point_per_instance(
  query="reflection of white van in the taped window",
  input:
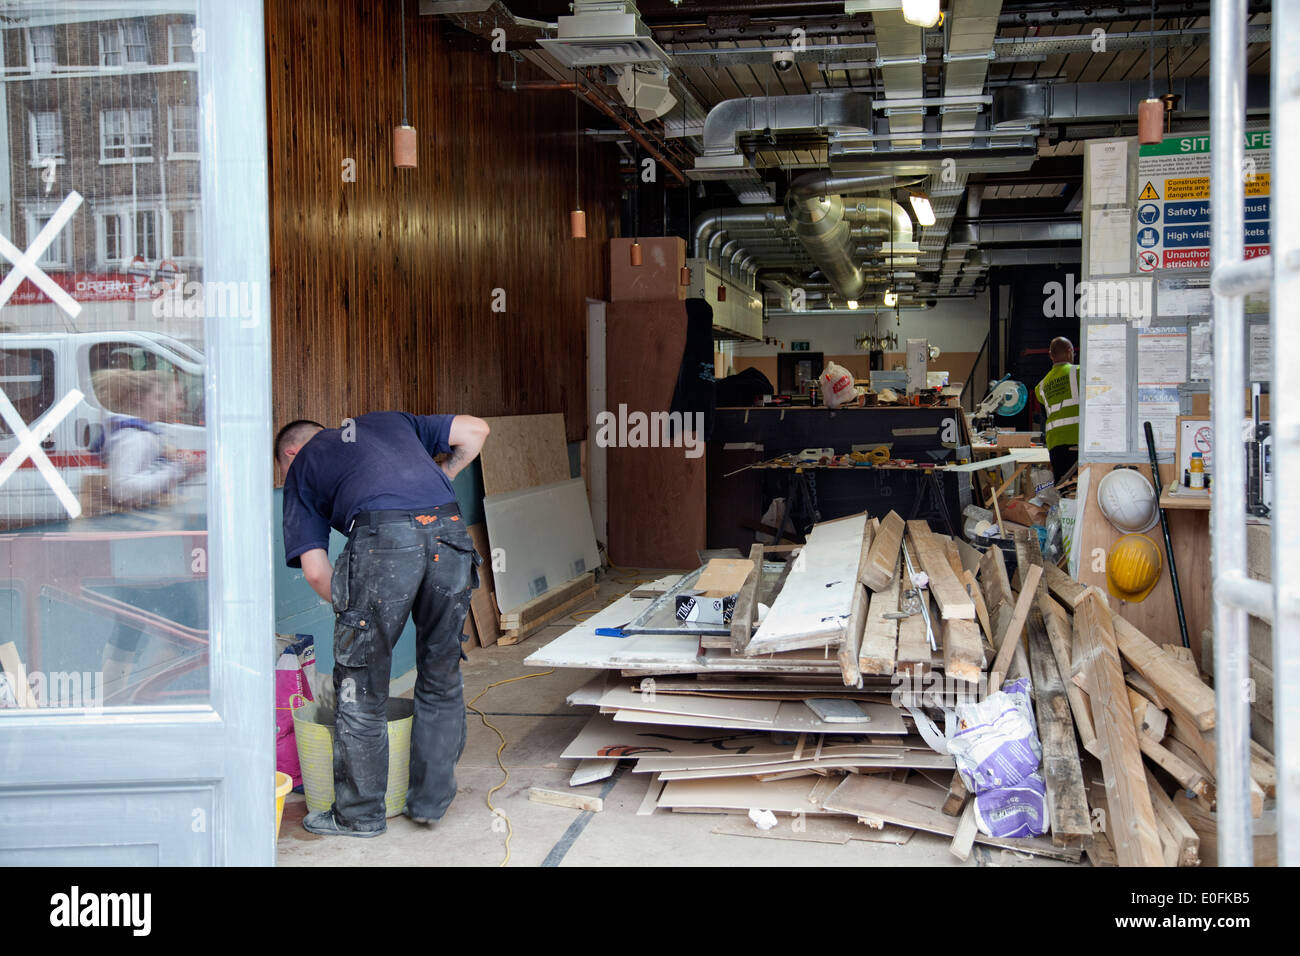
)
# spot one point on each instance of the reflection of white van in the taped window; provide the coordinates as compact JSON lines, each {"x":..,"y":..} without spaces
{"x":37,"y":370}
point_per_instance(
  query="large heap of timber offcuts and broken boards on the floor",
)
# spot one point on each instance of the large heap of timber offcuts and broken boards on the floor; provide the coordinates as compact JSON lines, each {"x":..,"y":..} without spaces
{"x":812,"y":710}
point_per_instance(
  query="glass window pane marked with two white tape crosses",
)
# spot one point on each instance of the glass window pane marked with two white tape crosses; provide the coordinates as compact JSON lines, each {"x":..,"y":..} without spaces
{"x":103,"y":439}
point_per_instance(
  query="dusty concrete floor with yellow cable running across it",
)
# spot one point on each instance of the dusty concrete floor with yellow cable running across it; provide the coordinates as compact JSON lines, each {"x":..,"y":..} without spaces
{"x":539,"y":725}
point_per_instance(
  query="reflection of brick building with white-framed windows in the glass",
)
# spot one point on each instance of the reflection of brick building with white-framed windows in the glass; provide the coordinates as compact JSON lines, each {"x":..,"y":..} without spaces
{"x":107,"y":109}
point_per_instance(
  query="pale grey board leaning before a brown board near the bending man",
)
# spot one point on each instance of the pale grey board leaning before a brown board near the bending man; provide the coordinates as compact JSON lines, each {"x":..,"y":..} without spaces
{"x":545,"y":538}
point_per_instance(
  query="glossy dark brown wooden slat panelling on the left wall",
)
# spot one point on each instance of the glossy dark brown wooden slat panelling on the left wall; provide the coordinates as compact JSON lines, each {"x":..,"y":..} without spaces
{"x":383,"y":288}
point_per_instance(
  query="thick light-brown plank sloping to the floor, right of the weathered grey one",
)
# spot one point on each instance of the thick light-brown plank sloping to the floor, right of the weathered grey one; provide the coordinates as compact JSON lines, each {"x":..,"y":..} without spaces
{"x":1133,"y":817}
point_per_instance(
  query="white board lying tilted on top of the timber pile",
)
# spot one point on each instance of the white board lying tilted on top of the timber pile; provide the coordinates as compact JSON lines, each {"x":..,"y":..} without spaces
{"x":816,"y":599}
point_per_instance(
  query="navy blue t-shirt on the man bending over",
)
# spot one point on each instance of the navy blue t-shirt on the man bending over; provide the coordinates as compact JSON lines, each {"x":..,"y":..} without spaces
{"x":387,"y":468}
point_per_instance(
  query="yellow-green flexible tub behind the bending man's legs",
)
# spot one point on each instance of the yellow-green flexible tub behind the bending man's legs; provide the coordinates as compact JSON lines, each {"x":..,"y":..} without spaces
{"x":314,"y":729}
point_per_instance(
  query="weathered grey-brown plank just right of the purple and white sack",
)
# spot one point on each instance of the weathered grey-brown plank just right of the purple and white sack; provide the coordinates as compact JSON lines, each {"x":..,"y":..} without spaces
{"x":1068,"y":802}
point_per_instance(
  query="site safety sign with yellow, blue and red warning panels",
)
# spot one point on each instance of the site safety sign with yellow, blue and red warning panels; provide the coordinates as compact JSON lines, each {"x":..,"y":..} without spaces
{"x":1172,"y":224}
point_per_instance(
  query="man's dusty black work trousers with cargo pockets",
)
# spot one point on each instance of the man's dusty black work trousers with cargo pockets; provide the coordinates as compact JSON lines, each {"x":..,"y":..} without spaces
{"x":422,"y":565}
